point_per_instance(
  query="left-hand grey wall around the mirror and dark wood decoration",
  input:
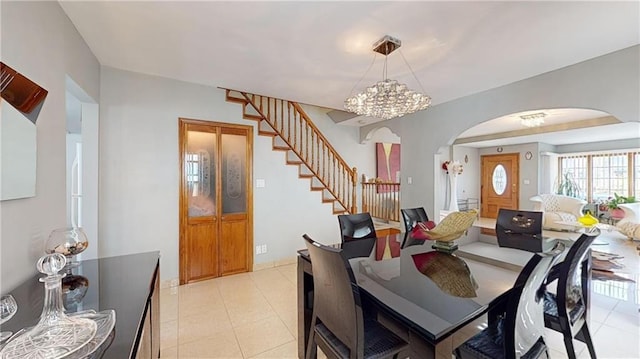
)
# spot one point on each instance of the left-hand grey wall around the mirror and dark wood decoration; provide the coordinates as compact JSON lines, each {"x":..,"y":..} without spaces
{"x":39,"y":41}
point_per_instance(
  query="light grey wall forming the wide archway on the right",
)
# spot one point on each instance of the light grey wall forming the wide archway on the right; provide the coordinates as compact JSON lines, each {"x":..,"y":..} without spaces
{"x":608,"y":83}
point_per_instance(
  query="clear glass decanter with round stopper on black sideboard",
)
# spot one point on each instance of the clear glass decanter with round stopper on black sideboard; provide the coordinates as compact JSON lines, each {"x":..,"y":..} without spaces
{"x":56,"y":335}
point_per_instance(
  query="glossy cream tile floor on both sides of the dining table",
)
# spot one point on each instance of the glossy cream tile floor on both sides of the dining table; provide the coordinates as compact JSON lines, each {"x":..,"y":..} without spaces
{"x":254,"y":315}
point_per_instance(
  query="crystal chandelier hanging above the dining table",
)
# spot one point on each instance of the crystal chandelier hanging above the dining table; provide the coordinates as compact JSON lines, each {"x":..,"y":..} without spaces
{"x":388,"y":98}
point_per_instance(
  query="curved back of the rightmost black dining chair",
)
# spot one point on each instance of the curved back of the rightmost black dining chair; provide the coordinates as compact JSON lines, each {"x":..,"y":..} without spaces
{"x":573,"y":274}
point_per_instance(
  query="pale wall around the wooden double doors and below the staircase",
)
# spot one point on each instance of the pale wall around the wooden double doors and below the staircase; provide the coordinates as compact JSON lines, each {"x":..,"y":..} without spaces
{"x":139,"y":170}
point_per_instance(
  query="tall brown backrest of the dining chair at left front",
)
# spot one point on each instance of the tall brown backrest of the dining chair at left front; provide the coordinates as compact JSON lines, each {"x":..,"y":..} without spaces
{"x":336,"y":296}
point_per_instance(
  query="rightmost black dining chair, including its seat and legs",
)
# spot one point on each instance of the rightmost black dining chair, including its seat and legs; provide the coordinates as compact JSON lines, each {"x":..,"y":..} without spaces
{"x":567,"y":310}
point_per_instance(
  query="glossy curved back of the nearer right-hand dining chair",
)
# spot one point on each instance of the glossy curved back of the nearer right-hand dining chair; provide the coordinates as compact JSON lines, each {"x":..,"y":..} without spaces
{"x":524,"y":315}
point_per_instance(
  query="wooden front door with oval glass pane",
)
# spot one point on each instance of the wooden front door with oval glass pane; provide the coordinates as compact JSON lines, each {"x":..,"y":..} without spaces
{"x":499,"y":187}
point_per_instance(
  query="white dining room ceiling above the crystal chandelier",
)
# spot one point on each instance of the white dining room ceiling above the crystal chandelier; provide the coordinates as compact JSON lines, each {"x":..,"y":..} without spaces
{"x":316,"y":52}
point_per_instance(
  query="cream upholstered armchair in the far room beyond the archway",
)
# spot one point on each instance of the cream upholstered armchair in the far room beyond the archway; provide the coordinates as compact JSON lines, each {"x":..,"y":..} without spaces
{"x":557,"y":208}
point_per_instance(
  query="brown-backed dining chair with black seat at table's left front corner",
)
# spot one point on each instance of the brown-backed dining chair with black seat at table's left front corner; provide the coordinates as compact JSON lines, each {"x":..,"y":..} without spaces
{"x":338,"y":325}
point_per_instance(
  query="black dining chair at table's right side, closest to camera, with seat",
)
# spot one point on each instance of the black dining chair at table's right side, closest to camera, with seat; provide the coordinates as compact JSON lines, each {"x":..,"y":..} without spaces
{"x":515,"y":319}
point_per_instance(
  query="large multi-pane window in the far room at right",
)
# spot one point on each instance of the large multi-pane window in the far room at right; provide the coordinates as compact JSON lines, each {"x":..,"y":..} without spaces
{"x":600,"y":175}
